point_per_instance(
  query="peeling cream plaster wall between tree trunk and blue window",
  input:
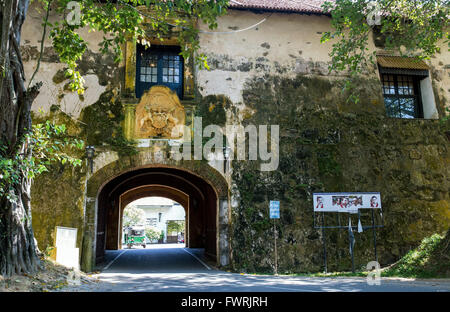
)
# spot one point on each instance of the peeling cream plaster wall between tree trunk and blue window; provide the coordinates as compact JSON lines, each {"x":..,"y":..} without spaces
{"x":98,"y":71}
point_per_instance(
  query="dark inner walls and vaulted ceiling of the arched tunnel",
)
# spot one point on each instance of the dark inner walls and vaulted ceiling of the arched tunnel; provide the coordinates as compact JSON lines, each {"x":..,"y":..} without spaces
{"x":195,"y":194}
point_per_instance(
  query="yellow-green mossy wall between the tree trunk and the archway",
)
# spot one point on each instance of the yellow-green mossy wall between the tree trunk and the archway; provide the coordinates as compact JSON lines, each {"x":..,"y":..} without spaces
{"x":57,"y":195}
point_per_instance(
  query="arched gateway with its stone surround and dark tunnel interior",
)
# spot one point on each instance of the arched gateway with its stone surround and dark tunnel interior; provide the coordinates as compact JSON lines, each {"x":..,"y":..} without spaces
{"x":133,"y":177}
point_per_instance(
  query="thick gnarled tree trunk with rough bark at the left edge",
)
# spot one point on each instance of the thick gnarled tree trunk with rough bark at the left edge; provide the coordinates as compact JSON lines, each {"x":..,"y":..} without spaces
{"x":18,"y":251}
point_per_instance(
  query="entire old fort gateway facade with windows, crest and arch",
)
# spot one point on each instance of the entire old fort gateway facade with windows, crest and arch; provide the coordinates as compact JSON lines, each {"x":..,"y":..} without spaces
{"x":268,"y":71}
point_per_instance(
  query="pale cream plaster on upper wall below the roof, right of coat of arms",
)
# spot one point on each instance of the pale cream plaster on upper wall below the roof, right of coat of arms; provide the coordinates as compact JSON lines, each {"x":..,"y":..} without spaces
{"x":285,"y":45}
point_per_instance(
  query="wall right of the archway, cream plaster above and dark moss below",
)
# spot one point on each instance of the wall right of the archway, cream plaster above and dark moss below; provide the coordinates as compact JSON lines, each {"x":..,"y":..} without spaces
{"x":276,"y":74}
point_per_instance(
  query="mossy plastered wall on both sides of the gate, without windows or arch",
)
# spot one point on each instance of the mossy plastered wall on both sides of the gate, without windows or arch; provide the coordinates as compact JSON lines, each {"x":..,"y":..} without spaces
{"x":275,"y":73}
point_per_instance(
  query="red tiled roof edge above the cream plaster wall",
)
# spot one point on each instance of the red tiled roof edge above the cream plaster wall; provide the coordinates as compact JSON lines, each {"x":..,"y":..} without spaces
{"x":304,"y":6}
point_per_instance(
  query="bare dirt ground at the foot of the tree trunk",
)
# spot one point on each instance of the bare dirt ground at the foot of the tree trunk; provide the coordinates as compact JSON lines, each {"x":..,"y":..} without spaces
{"x":50,"y":277}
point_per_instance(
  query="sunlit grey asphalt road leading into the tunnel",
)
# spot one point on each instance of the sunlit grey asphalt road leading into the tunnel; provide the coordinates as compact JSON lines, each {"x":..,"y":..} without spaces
{"x":175,"y":268}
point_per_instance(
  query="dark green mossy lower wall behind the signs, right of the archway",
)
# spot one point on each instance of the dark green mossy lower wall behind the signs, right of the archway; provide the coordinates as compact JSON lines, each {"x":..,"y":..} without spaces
{"x":330,"y":145}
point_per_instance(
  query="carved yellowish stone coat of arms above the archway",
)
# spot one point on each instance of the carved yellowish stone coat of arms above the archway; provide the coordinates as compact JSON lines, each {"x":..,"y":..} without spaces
{"x":159,"y":114}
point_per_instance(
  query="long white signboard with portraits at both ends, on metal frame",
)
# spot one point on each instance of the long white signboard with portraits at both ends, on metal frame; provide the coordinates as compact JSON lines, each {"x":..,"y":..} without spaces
{"x":346,"y":202}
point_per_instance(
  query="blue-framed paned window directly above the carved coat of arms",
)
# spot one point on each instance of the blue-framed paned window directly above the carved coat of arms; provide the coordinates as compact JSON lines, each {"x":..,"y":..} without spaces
{"x":159,"y":65}
